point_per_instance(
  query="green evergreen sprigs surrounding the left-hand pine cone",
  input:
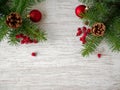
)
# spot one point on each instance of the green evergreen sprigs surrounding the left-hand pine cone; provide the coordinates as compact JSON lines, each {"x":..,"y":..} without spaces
{"x":28,"y":28}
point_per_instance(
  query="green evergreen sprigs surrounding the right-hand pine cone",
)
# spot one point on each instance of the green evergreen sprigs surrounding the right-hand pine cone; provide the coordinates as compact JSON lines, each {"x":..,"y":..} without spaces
{"x":107,"y":12}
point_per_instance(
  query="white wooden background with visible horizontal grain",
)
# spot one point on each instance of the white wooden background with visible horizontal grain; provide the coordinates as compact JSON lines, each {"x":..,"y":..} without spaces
{"x":59,"y":64}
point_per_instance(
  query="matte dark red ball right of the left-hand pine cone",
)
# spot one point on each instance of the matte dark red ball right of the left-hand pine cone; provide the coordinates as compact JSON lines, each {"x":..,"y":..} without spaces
{"x":35,"y":15}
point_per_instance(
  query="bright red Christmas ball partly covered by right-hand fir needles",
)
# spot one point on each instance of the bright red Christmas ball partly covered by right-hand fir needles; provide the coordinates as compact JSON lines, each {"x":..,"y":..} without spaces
{"x":79,"y":10}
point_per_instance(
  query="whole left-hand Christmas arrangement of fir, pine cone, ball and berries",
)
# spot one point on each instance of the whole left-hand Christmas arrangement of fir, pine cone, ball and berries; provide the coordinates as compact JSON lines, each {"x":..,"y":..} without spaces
{"x":16,"y":26}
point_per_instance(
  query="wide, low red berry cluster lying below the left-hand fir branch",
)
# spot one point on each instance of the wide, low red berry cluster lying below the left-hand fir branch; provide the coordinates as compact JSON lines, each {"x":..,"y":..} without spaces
{"x":25,"y":39}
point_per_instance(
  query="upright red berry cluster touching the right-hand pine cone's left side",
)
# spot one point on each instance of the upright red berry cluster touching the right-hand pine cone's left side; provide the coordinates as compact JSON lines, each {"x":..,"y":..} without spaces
{"x":84,"y":32}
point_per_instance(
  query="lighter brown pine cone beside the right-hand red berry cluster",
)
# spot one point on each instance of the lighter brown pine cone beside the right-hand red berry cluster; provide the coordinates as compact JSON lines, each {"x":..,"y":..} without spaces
{"x":98,"y":29}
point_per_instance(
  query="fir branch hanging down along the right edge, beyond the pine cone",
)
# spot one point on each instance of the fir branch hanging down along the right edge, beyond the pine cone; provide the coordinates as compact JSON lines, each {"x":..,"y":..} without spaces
{"x":113,"y":34}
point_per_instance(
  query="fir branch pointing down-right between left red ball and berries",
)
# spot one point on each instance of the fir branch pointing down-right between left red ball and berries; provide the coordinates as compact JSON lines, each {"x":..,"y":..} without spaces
{"x":31,"y":30}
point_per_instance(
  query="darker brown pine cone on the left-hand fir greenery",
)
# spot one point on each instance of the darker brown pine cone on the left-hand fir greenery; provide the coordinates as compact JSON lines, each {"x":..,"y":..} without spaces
{"x":14,"y":20}
